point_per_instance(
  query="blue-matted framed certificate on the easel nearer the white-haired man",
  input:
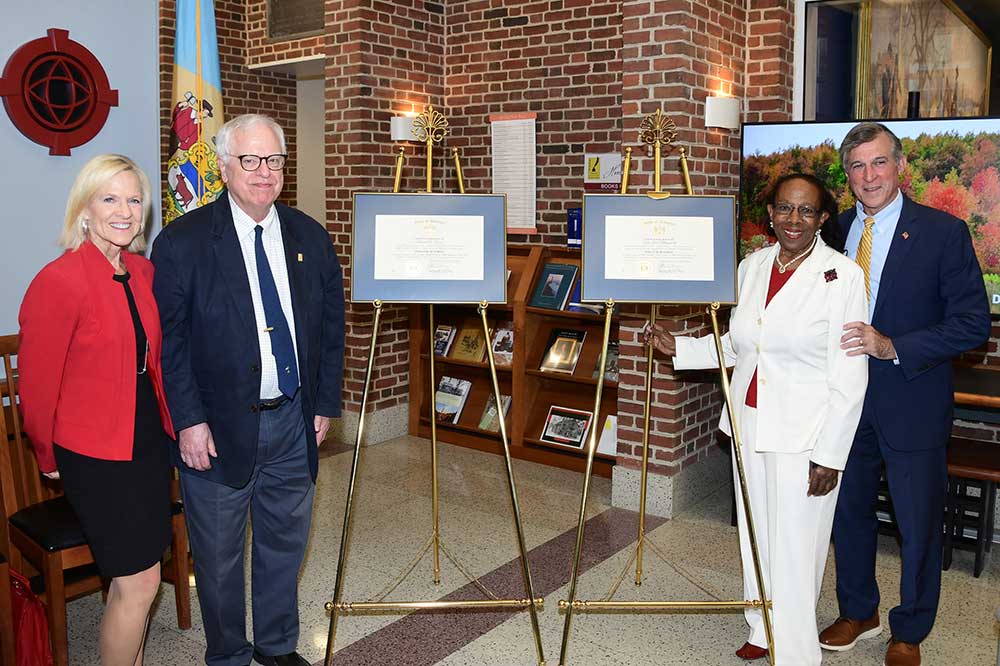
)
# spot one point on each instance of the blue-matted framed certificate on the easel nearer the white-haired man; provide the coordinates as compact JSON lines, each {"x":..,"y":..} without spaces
{"x":429,"y":248}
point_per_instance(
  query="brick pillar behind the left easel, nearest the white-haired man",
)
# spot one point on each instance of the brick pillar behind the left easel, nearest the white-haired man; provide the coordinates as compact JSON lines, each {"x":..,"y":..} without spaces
{"x":379,"y":62}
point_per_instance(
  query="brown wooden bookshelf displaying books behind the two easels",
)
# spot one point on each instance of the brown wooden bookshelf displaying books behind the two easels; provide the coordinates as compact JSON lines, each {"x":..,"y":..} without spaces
{"x":532,"y":391}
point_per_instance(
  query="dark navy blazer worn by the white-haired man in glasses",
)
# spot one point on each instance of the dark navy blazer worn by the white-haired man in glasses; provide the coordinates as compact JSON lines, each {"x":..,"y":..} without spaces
{"x":211,"y":355}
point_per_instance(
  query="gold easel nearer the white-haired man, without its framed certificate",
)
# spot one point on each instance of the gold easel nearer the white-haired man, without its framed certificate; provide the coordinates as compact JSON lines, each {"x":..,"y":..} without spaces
{"x":430,"y":127}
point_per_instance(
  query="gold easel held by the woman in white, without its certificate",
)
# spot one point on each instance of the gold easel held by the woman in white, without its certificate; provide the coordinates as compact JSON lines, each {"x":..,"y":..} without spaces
{"x":657,"y":130}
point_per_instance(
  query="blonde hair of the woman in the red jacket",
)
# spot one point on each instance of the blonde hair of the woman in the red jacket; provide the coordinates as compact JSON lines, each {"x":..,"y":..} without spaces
{"x":92,"y":177}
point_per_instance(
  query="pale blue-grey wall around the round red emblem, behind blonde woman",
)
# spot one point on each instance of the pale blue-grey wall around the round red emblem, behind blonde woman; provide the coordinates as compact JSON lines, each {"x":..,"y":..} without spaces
{"x":33,"y":189}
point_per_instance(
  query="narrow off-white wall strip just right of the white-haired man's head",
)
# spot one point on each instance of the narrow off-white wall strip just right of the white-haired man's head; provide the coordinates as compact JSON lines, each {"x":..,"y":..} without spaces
{"x":310,"y":160}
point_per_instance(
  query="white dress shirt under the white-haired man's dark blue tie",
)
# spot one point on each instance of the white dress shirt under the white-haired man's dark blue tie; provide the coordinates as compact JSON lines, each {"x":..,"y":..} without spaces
{"x":274,"y":248}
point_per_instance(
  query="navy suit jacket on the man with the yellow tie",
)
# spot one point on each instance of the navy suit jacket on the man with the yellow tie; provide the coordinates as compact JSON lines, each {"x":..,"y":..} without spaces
{"x":932,"y":303}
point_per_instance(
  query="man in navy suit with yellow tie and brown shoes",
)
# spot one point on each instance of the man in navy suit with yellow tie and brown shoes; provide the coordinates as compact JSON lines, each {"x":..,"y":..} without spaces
{"x":927,"y":305}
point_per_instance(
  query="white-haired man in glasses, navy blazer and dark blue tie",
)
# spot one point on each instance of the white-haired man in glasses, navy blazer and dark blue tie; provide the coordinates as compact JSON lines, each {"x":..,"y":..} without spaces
{"x":252,"y":305}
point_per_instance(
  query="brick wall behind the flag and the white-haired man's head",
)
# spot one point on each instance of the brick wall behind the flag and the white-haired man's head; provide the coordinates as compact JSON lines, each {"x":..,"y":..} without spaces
{"x":243,"y":90}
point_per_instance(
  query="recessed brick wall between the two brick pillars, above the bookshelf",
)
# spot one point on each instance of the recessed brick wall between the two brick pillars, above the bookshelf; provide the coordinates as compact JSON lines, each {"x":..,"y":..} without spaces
{"x":557,"y":58}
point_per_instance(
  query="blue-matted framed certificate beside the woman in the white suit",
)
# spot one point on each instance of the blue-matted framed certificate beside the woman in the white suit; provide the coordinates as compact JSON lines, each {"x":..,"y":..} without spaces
{"x":678,"y":249}
